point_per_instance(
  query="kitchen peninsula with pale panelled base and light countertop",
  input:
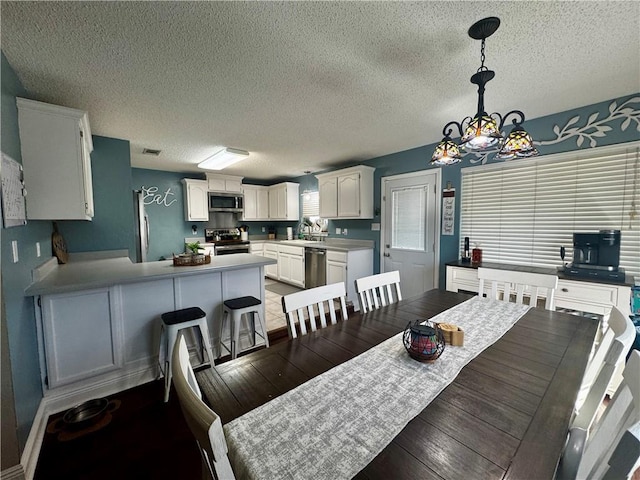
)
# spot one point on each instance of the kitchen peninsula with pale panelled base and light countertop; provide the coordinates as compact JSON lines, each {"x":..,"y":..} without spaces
{"x":98,"y":320}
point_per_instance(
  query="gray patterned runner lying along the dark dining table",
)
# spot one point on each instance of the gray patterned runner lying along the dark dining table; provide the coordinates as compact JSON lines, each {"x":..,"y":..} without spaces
{"x":335,"y":424}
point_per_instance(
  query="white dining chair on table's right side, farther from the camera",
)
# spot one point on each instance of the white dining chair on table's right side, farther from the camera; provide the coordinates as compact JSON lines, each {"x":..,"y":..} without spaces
{"x":620,"y":328}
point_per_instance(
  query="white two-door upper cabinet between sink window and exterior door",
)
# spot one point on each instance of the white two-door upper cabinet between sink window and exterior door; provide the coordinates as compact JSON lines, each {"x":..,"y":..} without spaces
{"x":346,"y":193}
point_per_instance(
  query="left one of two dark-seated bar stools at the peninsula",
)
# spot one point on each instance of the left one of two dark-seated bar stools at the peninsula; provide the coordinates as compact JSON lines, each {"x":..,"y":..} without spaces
{"x":172,"y":323}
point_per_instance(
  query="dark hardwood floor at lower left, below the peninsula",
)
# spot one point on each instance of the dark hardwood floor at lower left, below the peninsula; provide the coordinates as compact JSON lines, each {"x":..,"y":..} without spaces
{"x":145,"y":439}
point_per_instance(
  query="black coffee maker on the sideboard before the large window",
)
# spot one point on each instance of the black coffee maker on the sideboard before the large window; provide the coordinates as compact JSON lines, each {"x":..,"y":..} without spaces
{"x":596,"y":255}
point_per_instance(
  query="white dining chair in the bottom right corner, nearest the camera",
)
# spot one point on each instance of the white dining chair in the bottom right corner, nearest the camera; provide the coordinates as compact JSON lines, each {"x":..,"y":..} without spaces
{"x":588,"y":454}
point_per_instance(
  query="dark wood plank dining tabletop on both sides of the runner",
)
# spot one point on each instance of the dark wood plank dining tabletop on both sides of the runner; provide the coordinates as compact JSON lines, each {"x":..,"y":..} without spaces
{"x":506,"y":414}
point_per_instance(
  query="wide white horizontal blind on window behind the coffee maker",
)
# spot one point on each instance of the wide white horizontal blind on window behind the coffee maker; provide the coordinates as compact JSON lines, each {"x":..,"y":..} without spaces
{"x":524,"y":211}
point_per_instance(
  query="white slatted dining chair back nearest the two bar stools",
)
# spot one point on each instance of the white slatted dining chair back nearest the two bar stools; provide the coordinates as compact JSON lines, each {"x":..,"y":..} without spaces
{"x":295,"y":304}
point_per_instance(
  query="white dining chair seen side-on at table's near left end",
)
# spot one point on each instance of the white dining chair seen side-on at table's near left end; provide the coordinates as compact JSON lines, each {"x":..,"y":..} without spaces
{"x":205,"y":425}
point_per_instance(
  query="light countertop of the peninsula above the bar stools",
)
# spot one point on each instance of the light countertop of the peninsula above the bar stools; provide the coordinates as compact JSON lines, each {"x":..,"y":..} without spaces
{"x":84,"y":275}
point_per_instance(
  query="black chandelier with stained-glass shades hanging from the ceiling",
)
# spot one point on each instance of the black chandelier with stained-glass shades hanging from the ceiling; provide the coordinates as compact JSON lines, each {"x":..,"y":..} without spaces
{"x":482,"y":133}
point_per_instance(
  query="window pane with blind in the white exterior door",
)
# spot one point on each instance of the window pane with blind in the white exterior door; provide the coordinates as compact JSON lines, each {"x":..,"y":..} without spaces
{"x":408,"y":225}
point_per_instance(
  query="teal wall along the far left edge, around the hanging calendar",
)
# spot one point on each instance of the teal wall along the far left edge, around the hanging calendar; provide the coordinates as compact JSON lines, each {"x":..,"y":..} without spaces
{"x":19,"y":310}
